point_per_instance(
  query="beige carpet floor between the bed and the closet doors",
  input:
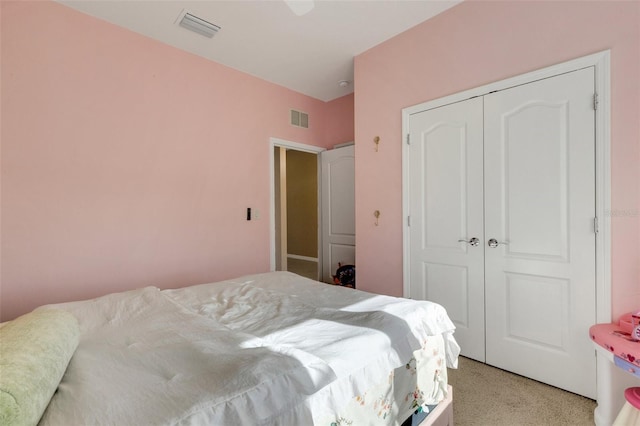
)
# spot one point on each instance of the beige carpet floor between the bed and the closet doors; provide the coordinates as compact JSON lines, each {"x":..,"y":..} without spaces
{"x":487,"y":396}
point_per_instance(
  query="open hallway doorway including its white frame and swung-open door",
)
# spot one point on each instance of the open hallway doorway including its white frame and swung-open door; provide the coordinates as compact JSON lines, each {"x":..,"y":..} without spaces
{"x":312,"y":245}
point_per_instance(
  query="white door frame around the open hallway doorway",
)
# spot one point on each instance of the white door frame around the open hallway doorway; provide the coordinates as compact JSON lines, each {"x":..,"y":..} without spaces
{"x":274,"y":142}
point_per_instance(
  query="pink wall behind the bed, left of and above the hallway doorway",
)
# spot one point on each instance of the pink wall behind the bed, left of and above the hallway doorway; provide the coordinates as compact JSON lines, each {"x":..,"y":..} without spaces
{"x":126,"y":162}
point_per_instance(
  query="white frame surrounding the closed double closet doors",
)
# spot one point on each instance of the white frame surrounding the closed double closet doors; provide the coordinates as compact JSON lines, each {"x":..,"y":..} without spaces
{"x":601,"y":62}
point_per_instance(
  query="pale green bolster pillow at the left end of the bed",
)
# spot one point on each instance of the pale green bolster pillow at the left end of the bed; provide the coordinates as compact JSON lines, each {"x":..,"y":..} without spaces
{"x":35,"y":350}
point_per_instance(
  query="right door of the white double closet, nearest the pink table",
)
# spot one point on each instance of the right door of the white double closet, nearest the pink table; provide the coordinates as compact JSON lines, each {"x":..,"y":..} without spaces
{"x":540,"y":208}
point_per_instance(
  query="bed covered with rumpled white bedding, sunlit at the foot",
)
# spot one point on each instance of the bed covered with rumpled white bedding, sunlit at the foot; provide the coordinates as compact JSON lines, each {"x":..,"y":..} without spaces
{"x":265,"y":349}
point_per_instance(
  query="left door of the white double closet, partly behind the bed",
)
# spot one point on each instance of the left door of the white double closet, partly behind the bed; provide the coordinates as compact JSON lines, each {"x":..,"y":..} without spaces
{"x":446,"y":217}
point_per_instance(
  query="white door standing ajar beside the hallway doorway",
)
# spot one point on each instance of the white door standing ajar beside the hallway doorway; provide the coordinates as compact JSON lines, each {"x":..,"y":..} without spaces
{"x":338,"y":210}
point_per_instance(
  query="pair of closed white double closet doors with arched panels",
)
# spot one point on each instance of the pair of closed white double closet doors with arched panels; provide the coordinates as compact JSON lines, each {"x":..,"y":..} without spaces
{"x":515,"y":169}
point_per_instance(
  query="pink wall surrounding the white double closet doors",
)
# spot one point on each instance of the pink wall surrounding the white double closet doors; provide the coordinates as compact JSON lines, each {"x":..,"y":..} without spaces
{"x":470,"y":45}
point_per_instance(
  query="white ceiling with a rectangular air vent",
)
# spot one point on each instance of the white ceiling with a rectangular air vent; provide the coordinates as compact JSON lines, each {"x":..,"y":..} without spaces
{"x":309,"y":54}
